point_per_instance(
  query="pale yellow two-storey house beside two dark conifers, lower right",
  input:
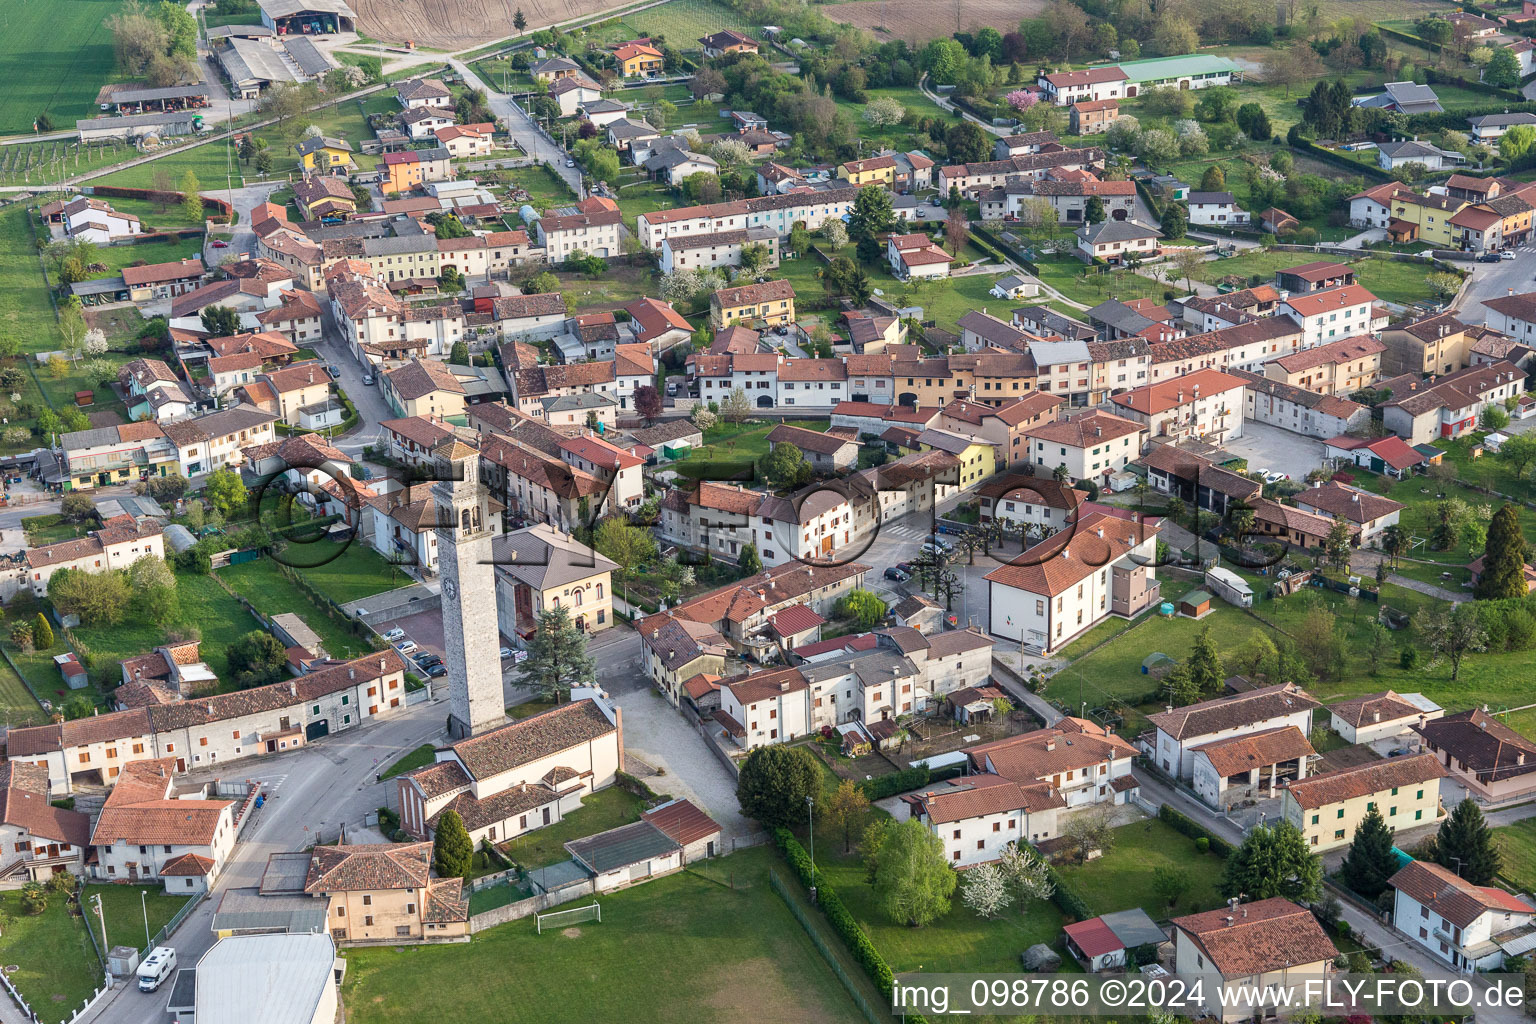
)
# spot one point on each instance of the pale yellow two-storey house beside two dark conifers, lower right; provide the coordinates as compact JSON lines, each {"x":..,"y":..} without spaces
{"x":1328,"y":808}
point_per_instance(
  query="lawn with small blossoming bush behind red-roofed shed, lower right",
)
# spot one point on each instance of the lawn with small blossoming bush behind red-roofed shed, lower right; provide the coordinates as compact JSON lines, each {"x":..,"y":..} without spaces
{"x":1122,"y":879}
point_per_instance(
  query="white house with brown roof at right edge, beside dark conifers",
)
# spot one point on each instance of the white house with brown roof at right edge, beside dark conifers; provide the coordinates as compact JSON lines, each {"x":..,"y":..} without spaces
{"x":1468,"y":927}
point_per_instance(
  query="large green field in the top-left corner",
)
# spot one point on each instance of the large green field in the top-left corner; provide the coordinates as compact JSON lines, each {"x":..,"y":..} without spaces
{"x":55,"y":58}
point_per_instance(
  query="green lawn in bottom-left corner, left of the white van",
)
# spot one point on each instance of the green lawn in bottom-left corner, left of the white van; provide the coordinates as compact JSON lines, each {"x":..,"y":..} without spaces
{"x":58,"y":968}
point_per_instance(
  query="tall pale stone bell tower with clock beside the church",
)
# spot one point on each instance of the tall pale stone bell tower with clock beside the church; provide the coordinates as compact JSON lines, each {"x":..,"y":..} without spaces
{"x":471,"y":641}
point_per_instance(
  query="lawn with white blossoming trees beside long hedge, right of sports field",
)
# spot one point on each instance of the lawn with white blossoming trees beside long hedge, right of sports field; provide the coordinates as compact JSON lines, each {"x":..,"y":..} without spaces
{"x":959,"y":942}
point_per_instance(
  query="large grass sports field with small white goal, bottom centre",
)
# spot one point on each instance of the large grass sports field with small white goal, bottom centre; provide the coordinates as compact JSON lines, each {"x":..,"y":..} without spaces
{"x":643,"y":963}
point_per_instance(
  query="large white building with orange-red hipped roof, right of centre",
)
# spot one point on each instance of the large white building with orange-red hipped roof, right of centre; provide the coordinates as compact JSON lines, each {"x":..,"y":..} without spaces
{"x":1104,"y":567}
